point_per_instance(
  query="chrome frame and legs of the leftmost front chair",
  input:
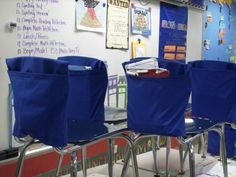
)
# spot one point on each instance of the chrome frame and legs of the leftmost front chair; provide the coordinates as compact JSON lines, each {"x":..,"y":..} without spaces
{"x":73,"y":151}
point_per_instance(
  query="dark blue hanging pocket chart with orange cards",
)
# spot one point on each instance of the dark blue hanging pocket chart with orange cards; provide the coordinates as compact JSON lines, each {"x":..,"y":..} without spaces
{"x":173,"y":32}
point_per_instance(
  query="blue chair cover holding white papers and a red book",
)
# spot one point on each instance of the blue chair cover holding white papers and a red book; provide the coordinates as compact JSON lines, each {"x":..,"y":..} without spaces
{"x":157,"y":105}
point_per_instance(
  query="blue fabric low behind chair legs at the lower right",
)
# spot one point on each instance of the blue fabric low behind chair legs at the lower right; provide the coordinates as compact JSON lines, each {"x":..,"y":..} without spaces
{"x":214,"y":142}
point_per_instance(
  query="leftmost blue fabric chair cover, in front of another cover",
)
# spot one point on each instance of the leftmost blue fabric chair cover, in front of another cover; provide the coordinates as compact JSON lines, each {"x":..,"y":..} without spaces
{"x":40,"y":88}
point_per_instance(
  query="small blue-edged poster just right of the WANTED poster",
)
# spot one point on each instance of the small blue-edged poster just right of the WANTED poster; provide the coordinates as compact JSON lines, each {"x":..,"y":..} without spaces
{"x":140,"y":20}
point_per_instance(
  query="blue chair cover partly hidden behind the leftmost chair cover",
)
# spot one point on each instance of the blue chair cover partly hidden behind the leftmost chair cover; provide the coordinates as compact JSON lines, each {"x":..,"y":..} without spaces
{"x":87,"y":89}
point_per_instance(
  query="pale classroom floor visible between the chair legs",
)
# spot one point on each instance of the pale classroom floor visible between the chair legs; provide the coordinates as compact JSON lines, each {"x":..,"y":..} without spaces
{"x":207,"y":167}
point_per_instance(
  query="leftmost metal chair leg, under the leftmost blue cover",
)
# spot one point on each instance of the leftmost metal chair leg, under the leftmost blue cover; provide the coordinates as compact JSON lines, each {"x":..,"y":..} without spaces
{"x":21,"y":158}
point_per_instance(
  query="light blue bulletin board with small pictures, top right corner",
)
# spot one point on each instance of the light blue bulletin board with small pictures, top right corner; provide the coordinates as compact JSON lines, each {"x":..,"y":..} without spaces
{"x":219,"y":31}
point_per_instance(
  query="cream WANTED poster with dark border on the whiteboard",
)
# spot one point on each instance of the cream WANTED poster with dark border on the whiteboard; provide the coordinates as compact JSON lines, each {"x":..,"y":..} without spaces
{"x":117,"y":36}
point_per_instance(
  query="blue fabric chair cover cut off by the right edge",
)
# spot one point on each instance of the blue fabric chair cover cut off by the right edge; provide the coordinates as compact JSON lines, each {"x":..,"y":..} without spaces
{"x":213,"y":90}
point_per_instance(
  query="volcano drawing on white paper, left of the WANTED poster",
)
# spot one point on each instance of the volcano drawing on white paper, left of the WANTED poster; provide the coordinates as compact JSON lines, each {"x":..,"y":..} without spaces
{"x":91,"y":15}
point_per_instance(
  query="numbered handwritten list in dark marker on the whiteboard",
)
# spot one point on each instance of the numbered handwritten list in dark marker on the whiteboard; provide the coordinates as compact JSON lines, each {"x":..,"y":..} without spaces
{"x":40,"y":31}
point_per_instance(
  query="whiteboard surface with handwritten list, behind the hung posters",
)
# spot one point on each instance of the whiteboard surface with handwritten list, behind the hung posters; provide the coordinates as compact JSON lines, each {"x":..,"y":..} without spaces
{"x":47,"y":28}
